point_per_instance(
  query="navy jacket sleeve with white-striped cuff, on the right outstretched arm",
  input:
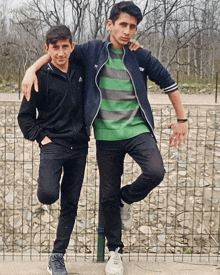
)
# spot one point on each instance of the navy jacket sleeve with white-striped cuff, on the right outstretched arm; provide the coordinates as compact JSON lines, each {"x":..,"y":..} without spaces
{"x":158,"y":73}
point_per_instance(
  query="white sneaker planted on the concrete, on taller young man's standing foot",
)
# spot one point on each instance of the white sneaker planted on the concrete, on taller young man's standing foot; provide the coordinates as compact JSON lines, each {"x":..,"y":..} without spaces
{"x":114,"y":265}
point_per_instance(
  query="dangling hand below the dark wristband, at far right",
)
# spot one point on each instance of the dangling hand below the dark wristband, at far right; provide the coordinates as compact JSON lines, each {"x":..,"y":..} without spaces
{"x":179,"y":135}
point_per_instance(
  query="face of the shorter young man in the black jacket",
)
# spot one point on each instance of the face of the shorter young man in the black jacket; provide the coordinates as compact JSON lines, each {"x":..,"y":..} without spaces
{"x":60,"y":53}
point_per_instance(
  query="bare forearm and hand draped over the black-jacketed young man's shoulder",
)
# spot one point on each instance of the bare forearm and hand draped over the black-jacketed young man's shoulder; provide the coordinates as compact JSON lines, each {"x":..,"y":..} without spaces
{"x":30,"y":77}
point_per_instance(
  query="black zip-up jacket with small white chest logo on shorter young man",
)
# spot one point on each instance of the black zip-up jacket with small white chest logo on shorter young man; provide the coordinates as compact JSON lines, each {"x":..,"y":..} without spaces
{"x":57,"y":110}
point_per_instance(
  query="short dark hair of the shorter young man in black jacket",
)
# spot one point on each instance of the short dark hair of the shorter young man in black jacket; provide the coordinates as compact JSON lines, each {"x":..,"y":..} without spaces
{"x":58,"y":32}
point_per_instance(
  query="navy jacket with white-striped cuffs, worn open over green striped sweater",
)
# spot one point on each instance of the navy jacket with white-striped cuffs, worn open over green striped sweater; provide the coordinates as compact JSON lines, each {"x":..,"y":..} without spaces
{"x":140,"y":64}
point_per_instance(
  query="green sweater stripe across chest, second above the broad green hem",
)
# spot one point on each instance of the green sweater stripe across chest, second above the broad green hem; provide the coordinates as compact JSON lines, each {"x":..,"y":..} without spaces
{"x":115,"y":84}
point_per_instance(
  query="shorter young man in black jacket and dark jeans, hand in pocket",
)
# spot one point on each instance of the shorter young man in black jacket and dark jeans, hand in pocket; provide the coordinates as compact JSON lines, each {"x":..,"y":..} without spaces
{"x":60,"y":131}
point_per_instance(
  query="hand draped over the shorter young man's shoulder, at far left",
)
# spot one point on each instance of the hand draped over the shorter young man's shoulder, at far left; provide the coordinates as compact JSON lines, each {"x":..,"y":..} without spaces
{"x":29,"y":79}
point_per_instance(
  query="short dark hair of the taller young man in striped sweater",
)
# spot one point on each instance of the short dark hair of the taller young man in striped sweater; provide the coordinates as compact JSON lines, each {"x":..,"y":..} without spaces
{"x":127,"y":7}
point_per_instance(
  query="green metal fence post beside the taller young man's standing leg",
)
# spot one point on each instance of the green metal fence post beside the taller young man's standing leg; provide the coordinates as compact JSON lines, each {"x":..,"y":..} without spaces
{"x":101,"y":235}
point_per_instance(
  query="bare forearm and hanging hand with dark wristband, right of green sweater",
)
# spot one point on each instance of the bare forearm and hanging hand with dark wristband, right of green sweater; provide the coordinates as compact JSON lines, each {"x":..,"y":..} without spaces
{"x":180,"y":129}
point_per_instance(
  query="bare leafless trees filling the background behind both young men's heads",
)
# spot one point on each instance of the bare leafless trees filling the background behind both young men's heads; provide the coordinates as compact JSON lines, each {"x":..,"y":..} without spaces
{"x":183,"y":34}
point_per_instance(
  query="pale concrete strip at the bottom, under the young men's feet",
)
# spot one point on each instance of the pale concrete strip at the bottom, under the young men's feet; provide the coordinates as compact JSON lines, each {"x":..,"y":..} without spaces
{"x":130,"y":268}
